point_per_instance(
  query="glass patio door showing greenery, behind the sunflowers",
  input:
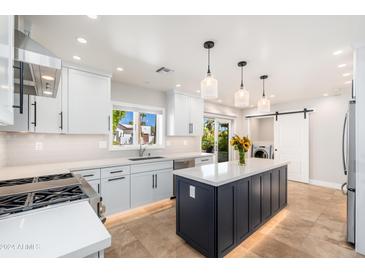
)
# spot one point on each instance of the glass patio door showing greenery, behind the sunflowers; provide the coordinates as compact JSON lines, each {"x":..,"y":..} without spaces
{"x":216,"y":136}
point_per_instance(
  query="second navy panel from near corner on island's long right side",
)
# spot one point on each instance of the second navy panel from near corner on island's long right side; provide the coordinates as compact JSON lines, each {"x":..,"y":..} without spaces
{"x":242,"y":209}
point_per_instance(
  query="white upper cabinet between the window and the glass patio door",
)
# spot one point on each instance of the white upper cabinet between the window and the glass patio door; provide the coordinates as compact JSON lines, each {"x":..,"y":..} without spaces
{"x":184,"y":115}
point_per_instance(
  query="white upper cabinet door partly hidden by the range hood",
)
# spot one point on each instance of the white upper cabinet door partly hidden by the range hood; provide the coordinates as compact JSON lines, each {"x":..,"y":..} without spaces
{"x":46,"y":112}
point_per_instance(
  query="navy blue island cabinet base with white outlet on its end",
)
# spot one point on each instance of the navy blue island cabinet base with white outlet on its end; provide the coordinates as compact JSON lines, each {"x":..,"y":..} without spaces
{"x":215,"y":219}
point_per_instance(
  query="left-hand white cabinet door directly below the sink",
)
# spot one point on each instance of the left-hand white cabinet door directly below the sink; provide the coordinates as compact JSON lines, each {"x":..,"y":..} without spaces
{"x":142,"y":188}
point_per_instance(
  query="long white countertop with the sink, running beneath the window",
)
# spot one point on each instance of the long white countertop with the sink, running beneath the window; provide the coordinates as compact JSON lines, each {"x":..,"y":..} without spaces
{"x":16,"y":172}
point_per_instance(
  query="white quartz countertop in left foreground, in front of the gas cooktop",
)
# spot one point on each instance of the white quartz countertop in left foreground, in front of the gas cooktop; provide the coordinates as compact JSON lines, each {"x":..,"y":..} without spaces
{"x":54,"y":232}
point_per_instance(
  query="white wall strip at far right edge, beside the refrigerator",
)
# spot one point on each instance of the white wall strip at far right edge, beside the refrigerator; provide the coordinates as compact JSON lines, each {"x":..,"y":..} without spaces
{"x":360,"y":149}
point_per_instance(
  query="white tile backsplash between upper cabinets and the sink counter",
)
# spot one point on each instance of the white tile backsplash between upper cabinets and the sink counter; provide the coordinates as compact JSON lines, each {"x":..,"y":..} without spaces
{"x":29,"y":148}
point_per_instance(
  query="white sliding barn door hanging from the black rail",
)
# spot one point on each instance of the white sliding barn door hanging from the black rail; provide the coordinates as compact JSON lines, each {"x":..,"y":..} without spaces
{"x":291,"y":142}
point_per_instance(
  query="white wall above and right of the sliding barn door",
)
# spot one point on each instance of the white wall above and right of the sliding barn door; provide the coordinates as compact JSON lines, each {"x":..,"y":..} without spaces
{"x":325,"y":136}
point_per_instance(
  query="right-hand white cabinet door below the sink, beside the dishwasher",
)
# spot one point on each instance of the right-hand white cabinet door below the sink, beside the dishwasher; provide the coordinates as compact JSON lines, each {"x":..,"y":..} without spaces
{"x":163,"y":185}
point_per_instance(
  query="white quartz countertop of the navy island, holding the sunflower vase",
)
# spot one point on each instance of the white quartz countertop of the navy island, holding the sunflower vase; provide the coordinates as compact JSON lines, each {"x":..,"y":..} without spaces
{"x":223,"y":173}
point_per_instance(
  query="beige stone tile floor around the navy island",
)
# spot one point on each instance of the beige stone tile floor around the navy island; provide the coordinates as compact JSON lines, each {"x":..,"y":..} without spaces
{"x":312,"y":225}
